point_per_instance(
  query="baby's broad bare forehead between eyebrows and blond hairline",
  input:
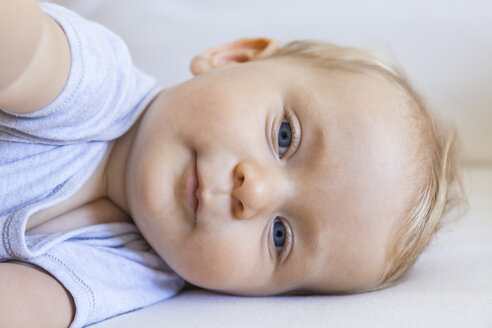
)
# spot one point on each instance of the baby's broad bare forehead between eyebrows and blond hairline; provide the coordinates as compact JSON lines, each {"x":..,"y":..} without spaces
{"x":354,"y":161}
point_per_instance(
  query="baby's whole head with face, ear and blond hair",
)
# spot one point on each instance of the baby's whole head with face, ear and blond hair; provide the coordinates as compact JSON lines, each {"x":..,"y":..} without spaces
{"x":319,"y":170}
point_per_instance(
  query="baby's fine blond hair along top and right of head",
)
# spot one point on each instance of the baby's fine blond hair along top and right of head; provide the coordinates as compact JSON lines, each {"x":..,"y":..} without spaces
{"x":440,"y":188}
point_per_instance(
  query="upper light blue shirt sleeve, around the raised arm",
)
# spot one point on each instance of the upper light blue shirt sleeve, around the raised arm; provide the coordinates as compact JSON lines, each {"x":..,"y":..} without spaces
{"x":102,"y":98}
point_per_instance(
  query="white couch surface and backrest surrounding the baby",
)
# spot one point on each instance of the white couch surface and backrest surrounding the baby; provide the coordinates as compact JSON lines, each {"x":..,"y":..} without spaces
{"x":445,"y":48}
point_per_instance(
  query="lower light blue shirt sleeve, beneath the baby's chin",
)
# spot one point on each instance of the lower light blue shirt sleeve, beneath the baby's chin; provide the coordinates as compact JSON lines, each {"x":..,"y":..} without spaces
{"x":109,"y":269}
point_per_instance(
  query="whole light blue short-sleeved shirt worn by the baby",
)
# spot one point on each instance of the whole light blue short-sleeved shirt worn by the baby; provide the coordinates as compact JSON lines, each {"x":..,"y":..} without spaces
{"x":47,"y":155}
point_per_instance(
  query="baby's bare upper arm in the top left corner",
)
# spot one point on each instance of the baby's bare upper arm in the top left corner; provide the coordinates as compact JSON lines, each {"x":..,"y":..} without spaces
{"x":34,"y":57}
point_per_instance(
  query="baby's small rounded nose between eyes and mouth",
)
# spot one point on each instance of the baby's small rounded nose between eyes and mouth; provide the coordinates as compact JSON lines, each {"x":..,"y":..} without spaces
{"x":256,"y":190}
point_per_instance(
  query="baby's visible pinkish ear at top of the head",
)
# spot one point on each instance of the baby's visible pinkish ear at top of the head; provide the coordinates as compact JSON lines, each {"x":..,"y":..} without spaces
{"x":239,"y":51}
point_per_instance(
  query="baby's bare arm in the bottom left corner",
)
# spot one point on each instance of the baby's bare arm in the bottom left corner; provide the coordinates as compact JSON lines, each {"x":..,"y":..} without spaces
{"x":32,"y":298}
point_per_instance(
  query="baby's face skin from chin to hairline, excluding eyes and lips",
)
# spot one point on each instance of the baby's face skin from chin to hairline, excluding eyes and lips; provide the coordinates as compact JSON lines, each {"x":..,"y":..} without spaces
{"x":330,"y":189}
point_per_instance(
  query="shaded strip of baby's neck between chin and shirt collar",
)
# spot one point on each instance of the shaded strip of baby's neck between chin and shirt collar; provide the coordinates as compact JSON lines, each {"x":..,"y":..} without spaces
{"x":115,"y":171}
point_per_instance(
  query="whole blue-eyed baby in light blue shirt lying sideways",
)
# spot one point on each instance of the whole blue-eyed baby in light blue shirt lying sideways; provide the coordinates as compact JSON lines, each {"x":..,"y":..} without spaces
{"x":307,"y":168}
